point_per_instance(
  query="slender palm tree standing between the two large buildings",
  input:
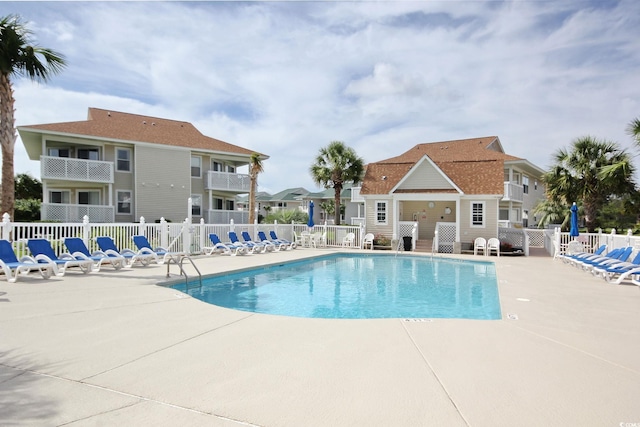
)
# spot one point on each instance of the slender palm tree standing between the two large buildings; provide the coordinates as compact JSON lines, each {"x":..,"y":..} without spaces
{"x":335,"y":165}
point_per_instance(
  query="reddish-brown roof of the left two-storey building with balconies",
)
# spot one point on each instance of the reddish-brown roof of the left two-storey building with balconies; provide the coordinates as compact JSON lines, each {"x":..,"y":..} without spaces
{"x":114,"y":125}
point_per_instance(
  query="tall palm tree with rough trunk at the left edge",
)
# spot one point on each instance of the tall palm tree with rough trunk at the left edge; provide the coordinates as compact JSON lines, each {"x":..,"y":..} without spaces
{"x":18,"y":57}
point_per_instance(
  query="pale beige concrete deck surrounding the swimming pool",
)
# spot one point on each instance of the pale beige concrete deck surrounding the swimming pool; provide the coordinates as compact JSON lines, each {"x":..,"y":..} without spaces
{"x":112,"y":348}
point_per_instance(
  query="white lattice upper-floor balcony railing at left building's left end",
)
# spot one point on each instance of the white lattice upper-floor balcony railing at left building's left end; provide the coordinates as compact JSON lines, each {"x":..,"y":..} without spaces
{"x":76,"y":169}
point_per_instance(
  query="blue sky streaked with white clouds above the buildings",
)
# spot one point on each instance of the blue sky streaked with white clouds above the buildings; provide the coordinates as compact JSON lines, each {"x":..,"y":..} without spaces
{"x":286,"y":78}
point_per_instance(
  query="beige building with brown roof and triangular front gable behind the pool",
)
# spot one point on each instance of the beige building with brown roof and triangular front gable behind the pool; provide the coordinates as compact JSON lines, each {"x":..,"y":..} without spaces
{"x":470,"y":184}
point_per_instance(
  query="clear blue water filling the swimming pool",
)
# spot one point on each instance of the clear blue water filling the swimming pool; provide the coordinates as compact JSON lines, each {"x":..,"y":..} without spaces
{"x":359,"y":286}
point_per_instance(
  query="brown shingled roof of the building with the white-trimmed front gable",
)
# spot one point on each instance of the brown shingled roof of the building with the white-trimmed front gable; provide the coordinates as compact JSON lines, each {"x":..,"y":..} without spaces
{"x":474,"y":165}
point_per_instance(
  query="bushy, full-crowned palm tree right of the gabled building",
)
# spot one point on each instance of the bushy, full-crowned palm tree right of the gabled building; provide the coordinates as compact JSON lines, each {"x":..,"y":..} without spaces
{"x":590,"y":174}
